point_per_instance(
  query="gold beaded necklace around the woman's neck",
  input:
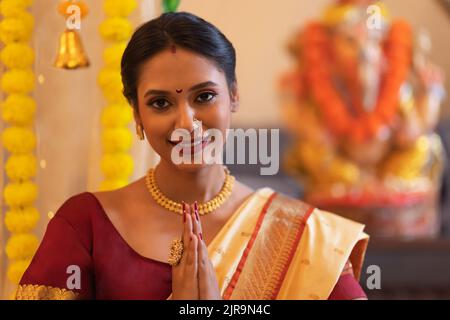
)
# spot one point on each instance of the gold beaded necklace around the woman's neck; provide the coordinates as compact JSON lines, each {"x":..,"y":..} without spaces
{"x":203,"y":208}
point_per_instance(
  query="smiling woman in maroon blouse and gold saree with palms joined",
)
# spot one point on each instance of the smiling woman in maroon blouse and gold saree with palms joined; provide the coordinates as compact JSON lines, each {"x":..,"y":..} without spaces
{"x":178,"y":72}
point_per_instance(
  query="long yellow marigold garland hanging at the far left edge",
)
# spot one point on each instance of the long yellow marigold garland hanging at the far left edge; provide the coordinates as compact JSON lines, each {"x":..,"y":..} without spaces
{"x":18,"y":112}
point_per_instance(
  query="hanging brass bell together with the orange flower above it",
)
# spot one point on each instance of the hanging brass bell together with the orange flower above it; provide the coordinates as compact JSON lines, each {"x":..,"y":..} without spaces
{"x":71,"y":54}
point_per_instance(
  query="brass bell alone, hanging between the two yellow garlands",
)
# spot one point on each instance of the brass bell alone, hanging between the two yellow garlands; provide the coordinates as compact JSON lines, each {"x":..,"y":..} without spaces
{"x":71,"y":54}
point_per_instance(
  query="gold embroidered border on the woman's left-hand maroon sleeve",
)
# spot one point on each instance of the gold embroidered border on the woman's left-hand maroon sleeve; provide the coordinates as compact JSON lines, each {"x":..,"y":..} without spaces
{"x":41,"y":292}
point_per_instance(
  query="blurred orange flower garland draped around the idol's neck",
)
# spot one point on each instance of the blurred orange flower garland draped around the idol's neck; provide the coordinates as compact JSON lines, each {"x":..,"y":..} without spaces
{"x":335,"y":113}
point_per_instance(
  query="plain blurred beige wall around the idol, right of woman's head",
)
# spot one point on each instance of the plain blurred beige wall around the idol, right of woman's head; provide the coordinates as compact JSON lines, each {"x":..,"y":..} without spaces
{"x":259,"y":30}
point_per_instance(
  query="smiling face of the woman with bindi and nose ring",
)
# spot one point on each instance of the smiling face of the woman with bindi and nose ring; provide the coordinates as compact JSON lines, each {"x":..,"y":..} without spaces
{"x":176,"y":86}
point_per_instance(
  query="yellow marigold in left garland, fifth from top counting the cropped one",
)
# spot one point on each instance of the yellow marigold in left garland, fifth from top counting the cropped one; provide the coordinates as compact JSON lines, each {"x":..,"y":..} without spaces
{"x":18,"y":110}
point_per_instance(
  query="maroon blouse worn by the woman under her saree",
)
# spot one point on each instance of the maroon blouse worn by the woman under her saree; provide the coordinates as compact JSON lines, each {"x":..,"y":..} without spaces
{"x":81,"y":234}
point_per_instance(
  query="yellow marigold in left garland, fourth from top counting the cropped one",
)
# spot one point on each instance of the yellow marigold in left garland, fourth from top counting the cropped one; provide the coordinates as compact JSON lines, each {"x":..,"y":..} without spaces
{"x":18,"y":81}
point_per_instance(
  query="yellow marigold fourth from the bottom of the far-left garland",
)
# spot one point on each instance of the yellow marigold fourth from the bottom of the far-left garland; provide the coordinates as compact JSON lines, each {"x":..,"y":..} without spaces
{"x":20,"y":194}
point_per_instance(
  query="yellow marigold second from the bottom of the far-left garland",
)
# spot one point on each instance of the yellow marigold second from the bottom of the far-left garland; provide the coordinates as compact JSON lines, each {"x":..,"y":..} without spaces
{"x":21,"y":246}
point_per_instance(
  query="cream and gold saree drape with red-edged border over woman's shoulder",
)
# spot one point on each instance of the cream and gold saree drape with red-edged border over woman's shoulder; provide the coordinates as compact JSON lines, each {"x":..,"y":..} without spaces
{"x":276,"y":247}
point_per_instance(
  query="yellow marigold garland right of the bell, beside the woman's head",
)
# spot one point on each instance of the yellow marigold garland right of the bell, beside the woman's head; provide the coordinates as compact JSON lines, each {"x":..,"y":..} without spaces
{"x":116,"y":163}
